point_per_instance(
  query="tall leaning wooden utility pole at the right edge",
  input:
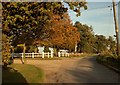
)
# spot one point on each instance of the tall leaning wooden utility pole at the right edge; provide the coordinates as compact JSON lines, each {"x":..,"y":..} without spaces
{"x":116,"y":27}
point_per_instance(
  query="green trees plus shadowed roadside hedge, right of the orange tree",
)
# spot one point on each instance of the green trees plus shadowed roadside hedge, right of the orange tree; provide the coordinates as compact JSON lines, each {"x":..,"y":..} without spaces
{"x":105,"y":47}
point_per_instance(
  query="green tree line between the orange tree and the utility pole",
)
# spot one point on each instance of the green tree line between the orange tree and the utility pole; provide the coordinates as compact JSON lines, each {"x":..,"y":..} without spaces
{"x":91,"y":43}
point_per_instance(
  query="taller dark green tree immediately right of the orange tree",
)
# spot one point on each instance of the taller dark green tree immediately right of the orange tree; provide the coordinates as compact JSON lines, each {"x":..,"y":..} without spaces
{"x":86,"y":38}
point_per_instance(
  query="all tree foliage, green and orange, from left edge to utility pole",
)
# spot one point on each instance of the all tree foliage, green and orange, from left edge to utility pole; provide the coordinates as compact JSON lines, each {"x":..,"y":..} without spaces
{"x":48,"y":24}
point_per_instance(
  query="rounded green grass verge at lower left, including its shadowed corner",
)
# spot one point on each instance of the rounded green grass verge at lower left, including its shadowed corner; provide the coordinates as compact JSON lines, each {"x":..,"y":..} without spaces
{"x":22,"y":73}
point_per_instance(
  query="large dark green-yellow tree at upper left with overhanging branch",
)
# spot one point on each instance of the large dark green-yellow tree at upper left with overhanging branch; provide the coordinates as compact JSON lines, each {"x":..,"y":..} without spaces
{"x":28,"y":21}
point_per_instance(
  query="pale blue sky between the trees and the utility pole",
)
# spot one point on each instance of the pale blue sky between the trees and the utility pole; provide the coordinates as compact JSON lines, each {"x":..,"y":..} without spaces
{"x":99,"y":16}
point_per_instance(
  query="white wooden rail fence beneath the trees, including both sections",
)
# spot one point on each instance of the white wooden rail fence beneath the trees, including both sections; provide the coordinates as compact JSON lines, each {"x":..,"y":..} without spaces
{"x":38,"y":55}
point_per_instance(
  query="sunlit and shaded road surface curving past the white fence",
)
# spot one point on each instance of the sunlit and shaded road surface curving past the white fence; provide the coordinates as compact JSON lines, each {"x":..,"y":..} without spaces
{"x":75,"y":70}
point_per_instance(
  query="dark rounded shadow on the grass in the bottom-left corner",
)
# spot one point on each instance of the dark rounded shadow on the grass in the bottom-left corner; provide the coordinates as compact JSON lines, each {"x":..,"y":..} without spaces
{"x":13,"y":77}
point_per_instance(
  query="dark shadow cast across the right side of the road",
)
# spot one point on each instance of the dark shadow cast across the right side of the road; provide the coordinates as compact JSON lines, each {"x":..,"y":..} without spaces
{"x":88,"y":71}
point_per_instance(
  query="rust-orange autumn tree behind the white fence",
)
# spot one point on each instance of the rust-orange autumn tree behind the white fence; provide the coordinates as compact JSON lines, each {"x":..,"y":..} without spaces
{"x":62,"y":33}
